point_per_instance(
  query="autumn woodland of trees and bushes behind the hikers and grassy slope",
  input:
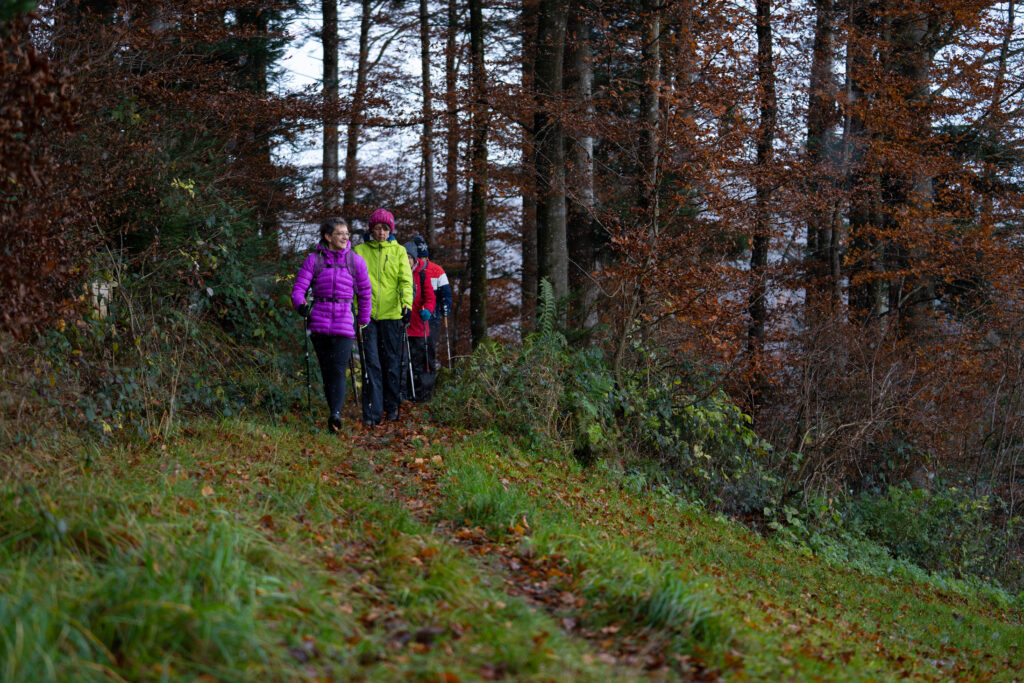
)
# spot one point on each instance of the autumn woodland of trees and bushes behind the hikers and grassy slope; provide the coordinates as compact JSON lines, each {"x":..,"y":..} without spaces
{"x":786,"y":236}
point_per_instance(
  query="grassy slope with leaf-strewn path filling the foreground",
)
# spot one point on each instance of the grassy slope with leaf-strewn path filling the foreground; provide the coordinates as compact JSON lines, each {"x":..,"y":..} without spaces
{"x":244,"y":550}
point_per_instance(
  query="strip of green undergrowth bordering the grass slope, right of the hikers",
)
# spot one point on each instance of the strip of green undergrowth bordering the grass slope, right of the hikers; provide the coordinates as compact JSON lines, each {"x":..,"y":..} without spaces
{"x":685,"y":435}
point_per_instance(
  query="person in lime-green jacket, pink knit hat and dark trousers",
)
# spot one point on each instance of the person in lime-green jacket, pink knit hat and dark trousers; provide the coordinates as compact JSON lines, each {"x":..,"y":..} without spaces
{"x":392,"y":284}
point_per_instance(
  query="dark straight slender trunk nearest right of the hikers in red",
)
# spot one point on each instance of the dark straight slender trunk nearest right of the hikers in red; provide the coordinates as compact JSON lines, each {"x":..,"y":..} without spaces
{"x":479,"y":194}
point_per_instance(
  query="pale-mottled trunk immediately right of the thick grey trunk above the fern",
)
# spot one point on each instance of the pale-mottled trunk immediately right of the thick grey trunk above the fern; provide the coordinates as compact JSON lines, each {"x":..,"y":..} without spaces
{"x":581,"y":230}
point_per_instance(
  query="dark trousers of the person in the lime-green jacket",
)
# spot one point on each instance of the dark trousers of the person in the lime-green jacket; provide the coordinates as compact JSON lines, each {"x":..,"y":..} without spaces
{"x":382,"y":344}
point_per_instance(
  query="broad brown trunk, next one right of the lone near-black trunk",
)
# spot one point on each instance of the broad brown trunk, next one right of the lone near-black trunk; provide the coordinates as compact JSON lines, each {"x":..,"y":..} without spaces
{"x":822,"y":150}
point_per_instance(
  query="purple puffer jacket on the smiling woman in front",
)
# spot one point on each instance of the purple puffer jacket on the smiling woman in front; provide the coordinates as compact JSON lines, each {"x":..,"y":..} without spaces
{"x":332,"y":314}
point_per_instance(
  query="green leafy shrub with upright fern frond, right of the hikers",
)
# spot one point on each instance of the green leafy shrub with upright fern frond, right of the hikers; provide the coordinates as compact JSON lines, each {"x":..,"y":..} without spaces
{"x":549,"y":394}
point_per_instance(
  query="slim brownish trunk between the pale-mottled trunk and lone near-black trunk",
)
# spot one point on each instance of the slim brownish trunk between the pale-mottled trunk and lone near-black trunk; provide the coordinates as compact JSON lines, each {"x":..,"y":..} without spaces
{"x":651,"y":57}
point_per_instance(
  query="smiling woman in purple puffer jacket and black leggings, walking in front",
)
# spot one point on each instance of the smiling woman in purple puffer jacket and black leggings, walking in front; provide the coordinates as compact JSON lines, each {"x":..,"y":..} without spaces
{"x":337,"y":275}
